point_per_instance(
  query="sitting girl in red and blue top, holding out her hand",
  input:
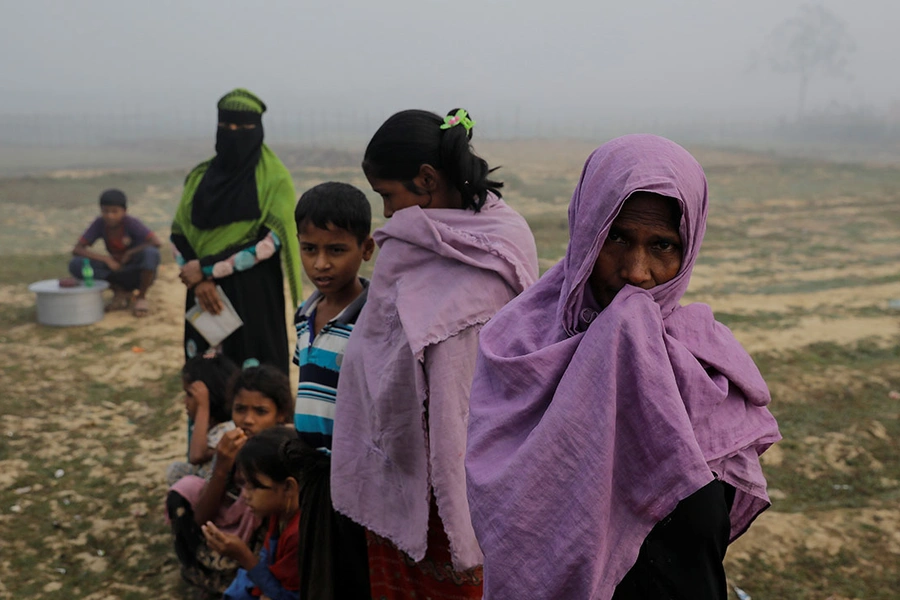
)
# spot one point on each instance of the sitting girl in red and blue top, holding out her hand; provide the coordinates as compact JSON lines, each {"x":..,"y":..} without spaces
{"x":271,"y":466}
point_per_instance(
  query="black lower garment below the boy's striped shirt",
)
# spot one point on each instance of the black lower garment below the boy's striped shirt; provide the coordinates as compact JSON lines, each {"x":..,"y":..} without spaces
{"x":333,"y":558}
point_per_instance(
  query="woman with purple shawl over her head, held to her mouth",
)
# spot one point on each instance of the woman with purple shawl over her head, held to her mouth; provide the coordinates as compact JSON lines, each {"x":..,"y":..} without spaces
{"x":614,"y":435}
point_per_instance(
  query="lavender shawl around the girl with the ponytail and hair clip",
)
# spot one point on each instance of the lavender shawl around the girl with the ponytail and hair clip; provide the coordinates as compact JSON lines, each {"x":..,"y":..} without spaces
{"x":439,"y":273}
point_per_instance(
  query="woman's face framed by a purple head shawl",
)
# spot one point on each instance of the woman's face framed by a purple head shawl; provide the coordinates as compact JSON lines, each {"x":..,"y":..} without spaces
{"x":643,"y":247}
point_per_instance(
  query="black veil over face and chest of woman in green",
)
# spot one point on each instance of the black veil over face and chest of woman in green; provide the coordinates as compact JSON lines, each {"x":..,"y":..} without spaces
{"x":228,"y":193}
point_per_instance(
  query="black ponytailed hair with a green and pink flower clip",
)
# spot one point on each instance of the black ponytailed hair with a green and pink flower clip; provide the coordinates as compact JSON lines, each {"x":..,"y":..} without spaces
{"x":412,"y":138}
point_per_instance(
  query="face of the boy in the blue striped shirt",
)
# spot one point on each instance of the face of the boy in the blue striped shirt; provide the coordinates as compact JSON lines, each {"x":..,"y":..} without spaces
{"x":332,"y":257}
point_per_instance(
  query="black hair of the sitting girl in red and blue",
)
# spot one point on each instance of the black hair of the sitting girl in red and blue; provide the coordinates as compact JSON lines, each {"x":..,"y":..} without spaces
{"x":277,"y":453}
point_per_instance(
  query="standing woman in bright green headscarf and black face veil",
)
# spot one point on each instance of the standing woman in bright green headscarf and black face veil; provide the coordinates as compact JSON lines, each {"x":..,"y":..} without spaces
{"x":235,"y":218}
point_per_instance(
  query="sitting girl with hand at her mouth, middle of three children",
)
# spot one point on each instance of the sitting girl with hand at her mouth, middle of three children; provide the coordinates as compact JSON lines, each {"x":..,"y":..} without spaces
{"x":260,"y":399}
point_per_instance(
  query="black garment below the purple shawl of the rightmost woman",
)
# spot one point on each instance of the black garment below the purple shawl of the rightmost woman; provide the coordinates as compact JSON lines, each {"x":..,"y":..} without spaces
{"x":681,"y":558}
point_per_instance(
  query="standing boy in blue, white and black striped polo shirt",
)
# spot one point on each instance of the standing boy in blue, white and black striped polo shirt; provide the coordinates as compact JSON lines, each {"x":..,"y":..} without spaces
{"x":333,"y":225}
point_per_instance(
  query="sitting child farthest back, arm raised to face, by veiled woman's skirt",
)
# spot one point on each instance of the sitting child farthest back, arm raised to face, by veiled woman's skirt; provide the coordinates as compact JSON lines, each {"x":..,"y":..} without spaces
{"x":205,"y":382}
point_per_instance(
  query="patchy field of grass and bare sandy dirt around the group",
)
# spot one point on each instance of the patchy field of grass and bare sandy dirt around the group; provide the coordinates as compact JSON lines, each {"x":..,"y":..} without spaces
{"x":801,"y":260}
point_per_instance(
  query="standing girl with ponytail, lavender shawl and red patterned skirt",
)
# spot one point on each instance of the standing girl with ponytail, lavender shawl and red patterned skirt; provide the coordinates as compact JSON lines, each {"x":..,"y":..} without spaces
{"x":451,"y":255}
